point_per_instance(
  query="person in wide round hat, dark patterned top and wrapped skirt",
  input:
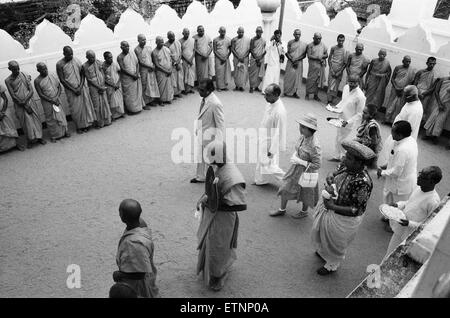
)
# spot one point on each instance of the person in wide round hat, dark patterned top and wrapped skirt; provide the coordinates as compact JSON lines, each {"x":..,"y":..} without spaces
{"x":336,"y":221}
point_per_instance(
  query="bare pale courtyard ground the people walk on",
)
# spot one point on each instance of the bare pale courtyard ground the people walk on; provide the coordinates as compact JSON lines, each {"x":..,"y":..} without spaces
{"x":59,"y":206}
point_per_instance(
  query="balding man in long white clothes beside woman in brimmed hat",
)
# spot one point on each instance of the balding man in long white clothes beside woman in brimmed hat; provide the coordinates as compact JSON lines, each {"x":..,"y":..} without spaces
{"x":272,"y":137}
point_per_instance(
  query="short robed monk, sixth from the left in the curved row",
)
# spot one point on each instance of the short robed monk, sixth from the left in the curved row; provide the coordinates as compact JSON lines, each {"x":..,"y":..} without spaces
{"x":113,"y":86}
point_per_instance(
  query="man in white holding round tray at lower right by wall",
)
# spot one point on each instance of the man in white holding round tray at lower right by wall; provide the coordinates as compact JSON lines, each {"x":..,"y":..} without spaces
{"x":422,"y":202}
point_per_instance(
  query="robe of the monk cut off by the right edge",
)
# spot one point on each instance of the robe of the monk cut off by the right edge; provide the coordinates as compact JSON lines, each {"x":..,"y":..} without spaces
{"x":438,"y":117}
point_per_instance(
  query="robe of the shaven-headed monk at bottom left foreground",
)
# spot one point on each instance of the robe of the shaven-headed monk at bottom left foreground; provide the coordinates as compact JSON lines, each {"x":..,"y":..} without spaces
{"x":135,"y":255}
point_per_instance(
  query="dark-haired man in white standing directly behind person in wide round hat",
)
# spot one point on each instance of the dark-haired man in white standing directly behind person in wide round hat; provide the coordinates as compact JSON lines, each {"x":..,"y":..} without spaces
{"x":400,"y":172}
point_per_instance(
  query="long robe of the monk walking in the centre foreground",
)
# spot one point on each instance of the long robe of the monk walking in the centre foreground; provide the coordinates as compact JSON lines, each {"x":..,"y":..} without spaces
{"x":218,"y":232}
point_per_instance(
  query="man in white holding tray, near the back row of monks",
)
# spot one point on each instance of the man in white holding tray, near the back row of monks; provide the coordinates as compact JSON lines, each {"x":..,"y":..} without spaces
{"x":351,"y":108}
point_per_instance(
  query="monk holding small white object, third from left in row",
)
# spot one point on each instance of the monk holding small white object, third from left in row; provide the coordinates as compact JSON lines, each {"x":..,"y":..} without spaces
{"x":49,"y":90}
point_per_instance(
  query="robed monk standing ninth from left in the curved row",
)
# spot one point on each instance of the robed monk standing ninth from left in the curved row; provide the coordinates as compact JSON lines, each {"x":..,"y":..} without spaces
{"x":163,"y":64}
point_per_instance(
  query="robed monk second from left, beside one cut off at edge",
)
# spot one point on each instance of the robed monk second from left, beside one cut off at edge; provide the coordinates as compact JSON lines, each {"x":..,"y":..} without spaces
{"x":21,"y":91}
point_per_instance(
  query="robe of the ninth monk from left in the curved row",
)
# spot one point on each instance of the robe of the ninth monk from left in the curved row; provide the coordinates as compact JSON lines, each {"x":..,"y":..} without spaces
{"x":164,"y":82}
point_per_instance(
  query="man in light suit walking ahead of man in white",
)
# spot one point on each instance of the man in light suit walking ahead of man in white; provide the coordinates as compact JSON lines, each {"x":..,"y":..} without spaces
{"x":209,"y":126}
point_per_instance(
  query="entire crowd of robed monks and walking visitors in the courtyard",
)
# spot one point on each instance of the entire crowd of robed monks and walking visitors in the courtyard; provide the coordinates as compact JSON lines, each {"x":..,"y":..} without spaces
{"x":99,"y":93}
